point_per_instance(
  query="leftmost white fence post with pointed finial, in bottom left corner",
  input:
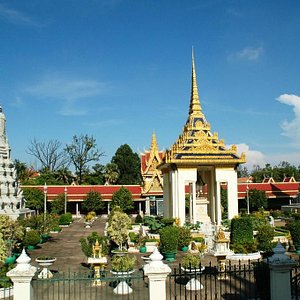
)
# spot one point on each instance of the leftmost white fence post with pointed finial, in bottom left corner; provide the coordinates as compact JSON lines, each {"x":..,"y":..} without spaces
{"x":21,"y":277}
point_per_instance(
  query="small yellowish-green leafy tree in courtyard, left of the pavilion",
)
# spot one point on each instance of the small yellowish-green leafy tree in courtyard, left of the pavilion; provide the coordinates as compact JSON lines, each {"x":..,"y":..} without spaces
{"x":117,"y":228}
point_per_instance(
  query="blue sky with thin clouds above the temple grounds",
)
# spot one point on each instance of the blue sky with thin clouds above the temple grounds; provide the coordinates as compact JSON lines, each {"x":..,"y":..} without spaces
{"x":120,"y":69}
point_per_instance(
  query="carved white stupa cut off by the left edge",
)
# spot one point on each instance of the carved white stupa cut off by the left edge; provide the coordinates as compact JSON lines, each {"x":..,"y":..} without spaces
{"x":12,"y":201}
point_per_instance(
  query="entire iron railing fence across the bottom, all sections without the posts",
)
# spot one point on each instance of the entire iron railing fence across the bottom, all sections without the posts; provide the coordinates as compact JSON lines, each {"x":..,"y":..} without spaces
{"x":249,"y":280}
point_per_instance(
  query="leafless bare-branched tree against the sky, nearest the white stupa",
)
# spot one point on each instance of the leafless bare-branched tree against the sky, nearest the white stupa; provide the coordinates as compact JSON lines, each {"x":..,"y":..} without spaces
{"x":49,"y":154}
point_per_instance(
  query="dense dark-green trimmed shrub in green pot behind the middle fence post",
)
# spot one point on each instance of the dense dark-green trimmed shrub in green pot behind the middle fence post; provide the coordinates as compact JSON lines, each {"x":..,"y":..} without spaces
{"x":169,"y":242}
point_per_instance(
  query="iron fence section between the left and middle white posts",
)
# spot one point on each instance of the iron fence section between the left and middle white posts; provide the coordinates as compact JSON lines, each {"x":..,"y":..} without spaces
{"x":82,"y":285}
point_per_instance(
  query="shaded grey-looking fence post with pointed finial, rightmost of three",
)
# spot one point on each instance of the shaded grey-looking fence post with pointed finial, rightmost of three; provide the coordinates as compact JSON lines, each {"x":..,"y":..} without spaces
{"x":280,"y":266}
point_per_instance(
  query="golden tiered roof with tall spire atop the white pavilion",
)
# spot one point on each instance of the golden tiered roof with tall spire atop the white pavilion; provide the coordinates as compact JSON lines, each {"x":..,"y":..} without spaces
{"x":196,"y":144}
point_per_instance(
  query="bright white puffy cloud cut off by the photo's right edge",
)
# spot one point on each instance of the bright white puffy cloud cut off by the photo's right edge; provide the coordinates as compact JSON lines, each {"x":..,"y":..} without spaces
{"x":291,"y":128}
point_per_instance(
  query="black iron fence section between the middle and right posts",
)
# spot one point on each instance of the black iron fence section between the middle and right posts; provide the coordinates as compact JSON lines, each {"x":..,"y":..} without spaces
{"x":234,"y":281}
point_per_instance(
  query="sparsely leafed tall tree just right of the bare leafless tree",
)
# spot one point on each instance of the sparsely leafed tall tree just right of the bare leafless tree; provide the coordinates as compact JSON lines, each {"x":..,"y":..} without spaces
{"x":82,"y":151}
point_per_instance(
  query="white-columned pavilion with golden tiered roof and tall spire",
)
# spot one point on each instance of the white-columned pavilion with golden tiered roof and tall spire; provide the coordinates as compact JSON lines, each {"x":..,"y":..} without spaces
{"x":200,"y":160}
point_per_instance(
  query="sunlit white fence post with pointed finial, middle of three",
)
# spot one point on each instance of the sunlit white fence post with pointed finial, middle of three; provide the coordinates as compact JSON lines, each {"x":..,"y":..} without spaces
{"x":157,"y":273}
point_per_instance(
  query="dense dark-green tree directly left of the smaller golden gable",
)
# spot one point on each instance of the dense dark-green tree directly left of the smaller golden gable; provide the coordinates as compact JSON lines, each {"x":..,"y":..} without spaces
{"x":128,"y":164}
